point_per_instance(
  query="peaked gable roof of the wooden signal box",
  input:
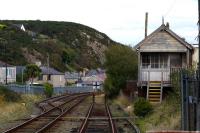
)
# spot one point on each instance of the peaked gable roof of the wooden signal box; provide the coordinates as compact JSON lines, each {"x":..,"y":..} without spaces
{"x":164,"y":40}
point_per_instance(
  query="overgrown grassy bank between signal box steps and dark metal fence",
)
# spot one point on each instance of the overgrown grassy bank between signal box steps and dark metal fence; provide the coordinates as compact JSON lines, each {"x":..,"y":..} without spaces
{"x":167,"y":115}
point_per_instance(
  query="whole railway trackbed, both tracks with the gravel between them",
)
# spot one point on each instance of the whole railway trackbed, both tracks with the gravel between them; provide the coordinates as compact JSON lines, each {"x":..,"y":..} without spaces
{"x":66,"y":114}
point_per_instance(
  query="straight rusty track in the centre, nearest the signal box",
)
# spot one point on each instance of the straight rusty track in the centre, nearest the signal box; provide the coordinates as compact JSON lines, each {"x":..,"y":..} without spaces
{"x":106,"y":125}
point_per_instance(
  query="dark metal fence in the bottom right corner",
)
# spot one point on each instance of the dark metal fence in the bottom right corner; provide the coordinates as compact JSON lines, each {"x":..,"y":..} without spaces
{"x":190,"y":100}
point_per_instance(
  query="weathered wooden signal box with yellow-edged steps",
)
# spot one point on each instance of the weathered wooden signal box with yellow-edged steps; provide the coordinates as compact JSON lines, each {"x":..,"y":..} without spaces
{"x":160,"y":54}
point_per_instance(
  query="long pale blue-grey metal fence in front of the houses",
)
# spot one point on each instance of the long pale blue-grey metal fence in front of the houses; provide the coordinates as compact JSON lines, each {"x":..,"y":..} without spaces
{"x":27,"y":89}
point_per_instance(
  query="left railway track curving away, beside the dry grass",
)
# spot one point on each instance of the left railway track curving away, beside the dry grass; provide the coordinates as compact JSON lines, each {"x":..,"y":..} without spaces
{"x":45,"y":120}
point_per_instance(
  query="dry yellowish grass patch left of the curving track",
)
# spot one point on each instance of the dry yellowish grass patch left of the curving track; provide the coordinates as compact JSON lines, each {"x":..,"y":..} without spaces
{"x":11,"y":111}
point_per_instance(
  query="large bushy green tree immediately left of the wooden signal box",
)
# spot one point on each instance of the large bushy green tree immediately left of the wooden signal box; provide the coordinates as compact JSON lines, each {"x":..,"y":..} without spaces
{"x":121,"y":65}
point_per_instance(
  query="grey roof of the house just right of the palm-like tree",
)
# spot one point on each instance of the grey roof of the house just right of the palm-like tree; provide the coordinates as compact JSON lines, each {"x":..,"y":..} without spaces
{"x":45,"y":71}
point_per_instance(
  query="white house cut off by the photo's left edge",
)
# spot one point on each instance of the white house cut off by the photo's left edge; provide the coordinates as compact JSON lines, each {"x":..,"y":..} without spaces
{"x":11,"y":73}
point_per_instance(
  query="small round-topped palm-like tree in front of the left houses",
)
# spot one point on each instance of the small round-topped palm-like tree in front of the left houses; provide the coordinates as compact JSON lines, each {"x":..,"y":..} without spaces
{"x":32,"y":71}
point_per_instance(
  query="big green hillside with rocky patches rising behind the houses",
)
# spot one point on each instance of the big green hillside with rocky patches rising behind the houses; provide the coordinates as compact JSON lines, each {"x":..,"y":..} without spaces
{"x":70,"y":46}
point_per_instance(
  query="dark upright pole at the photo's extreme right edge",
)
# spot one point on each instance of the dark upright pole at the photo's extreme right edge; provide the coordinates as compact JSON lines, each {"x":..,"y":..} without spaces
{"x":198,"y":90}
